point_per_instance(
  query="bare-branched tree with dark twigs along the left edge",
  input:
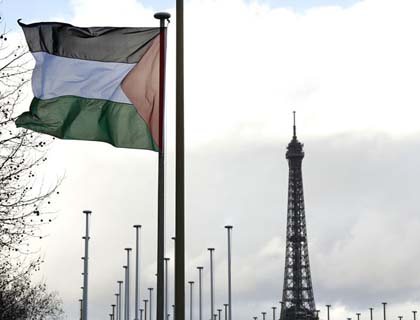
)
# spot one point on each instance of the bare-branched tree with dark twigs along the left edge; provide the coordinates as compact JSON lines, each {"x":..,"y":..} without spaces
{"x":23,"y":198}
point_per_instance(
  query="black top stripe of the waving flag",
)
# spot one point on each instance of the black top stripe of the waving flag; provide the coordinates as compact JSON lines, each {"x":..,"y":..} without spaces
{"x":106,"y":44}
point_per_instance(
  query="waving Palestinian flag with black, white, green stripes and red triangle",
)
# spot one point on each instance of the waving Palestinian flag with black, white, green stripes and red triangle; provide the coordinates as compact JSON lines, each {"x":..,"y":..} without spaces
{"x":99,"y":83}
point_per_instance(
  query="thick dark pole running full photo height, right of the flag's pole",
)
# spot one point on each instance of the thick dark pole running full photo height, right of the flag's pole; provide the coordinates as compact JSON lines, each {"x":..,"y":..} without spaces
{"x":179,"y":168}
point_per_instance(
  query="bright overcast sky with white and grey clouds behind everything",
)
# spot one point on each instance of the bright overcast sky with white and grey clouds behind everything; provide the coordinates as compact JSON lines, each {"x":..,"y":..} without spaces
{"x":351,"y":71}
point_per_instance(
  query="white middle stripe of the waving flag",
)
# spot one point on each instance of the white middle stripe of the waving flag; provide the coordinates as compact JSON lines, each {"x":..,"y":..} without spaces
{"x":56,"y":76}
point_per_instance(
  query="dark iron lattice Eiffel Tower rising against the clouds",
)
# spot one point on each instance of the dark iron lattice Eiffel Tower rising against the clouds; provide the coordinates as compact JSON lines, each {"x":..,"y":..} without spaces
{"x":298,"y":299}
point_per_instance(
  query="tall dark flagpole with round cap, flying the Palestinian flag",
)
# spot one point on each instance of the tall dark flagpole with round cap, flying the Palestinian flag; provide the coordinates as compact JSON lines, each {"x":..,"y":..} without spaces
{"x":162,"y":16}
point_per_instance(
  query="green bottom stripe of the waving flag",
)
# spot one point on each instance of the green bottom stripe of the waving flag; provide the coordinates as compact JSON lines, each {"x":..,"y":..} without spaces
{"x":71,"y":117}
